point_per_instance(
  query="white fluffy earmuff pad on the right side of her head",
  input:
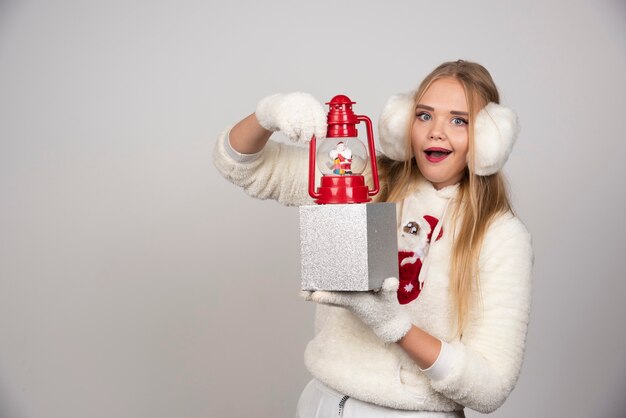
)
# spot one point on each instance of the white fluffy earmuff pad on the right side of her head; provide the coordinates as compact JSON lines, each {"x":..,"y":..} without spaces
{"x":495,"y":131}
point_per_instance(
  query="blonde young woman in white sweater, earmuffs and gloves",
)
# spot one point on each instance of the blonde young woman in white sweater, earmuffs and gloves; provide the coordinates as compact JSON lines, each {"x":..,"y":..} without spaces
{"x":449,"y":332}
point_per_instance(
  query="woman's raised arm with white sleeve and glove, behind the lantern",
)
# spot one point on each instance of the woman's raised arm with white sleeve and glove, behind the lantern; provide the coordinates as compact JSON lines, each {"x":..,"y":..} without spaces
{"x":267,"y":169}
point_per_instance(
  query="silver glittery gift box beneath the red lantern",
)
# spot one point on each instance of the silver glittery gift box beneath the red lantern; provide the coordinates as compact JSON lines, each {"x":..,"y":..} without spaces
{"x":348,"y":247}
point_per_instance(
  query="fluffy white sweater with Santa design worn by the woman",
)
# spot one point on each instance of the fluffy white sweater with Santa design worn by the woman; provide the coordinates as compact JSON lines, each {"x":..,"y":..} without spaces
{"x":477,"y":370}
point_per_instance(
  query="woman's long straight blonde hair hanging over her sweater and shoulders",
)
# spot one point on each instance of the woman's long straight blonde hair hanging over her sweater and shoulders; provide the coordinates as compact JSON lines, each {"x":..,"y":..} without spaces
{"x":480,"y":198}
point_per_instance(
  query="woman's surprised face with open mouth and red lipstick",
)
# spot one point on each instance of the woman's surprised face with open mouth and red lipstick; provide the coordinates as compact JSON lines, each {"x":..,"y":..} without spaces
{"x":439,"y":135}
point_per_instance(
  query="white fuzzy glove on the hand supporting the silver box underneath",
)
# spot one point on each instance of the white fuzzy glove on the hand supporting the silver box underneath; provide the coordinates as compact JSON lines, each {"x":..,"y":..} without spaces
{"x":378,"y":310}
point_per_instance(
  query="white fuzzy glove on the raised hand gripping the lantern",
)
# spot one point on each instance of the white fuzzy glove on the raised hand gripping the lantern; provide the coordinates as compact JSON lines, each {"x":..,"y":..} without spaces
{"x":297,"y":115}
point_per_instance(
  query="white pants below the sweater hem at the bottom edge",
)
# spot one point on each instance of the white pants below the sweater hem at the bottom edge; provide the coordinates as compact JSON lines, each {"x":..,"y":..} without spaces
{"x":319,"y":401}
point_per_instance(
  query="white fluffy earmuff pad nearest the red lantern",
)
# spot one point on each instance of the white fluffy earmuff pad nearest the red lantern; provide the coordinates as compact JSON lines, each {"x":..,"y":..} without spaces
{"x":393,"y":125}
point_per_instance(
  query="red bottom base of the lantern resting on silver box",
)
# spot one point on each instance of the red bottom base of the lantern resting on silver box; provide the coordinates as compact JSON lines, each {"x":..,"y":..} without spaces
{"x":343,"y":189}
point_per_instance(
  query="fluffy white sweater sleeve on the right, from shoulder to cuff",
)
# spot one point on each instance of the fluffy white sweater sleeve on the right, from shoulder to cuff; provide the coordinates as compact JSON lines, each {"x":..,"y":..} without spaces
{"x":481,"y":369}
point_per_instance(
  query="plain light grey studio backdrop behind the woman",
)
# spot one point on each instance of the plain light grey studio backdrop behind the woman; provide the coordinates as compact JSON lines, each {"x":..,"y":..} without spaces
{"x":136,"y":282}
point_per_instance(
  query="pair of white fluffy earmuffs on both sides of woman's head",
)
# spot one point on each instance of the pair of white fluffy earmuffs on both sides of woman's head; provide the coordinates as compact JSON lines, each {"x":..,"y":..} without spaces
{"x":495,"y":131}
